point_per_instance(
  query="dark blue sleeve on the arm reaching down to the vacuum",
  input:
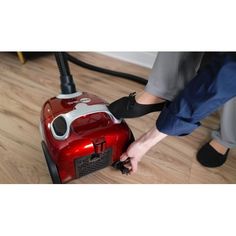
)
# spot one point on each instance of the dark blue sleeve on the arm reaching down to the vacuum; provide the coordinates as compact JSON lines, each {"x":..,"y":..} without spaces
{"x":213,"y":86}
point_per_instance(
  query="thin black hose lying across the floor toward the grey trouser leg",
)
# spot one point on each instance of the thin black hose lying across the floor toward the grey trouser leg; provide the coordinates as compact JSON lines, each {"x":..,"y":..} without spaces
{"x":131,"y":77}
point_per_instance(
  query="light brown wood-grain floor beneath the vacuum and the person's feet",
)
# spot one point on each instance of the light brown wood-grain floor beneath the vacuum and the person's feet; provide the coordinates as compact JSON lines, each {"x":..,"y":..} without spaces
{"x":24,"y":89}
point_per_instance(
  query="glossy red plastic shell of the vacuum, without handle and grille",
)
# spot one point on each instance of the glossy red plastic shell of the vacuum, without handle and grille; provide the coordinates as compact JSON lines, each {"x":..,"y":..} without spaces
{"x":89,"y":134}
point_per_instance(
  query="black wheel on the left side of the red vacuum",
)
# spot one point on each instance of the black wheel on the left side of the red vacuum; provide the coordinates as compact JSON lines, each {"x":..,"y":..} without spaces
{"x":51,"y":165}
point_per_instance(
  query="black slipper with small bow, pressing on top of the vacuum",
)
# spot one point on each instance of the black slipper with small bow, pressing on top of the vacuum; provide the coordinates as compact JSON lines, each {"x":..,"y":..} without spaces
{"x":127,"y":107}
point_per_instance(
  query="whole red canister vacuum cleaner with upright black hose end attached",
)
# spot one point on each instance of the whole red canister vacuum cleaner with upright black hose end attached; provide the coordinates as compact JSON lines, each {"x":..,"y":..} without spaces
{"x":79,"y":133}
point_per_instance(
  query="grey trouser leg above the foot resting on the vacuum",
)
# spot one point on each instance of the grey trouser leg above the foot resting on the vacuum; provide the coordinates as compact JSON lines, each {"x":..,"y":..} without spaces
{"x":171,"y":72}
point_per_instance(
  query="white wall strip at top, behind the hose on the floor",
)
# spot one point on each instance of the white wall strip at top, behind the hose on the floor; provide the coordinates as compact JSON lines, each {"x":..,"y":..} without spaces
{"x":145,"y":59}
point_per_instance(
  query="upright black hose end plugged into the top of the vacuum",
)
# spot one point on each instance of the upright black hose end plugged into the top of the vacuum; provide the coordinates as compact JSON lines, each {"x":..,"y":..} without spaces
{"x":67,"y":83}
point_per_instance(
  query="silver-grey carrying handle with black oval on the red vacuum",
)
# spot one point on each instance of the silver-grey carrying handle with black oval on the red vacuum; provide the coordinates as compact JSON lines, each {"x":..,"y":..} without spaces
{"x":60,"y":126}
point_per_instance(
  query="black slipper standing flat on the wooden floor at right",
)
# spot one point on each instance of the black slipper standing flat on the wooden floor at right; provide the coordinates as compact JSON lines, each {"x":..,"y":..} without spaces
{"x":209,"y":157}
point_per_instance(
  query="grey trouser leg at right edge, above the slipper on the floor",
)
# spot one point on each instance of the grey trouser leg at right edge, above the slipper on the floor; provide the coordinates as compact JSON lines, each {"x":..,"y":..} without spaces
{"x":226,"y":135}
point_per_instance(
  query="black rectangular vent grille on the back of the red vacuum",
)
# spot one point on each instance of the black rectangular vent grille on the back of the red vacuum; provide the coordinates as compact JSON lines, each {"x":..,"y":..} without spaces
{"x":88,"y":164}
